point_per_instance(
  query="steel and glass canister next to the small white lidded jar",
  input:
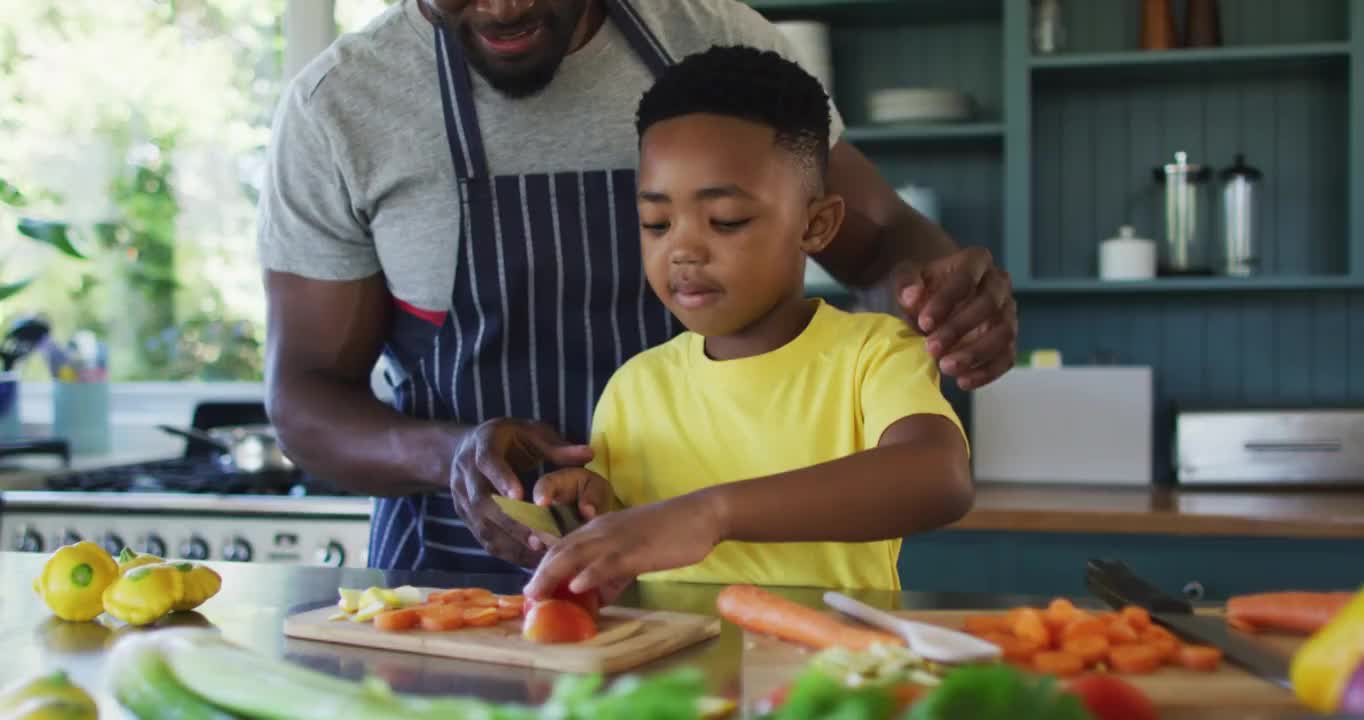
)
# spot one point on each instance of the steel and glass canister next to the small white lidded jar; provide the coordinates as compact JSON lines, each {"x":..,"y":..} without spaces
{"x":1185,"y":249}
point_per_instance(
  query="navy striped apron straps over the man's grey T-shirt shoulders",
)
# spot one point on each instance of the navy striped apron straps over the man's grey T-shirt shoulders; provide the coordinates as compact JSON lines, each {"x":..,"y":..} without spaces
{"x":462,"y":119}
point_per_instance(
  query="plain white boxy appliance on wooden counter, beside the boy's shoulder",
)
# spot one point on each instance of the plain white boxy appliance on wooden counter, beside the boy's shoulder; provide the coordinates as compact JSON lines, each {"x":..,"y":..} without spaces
{"x":1067,"y":425}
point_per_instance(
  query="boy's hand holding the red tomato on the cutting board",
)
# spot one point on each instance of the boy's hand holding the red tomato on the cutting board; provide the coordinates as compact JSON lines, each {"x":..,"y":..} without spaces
{"x":617,"y":547}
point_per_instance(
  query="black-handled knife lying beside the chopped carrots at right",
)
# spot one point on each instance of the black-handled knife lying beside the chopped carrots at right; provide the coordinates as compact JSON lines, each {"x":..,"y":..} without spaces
{"x":1115,"y":584}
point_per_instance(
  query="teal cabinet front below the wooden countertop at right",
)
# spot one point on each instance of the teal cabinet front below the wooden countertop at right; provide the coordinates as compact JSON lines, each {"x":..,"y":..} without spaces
{"x":1211,"y":569}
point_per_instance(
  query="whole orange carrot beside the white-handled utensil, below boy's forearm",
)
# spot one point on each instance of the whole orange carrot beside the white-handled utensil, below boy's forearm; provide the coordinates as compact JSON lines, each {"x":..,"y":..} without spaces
{"x":760,"y":612}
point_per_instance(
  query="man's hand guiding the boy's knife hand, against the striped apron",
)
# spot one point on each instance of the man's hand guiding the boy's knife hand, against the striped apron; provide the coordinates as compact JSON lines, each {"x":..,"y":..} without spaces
{"x":488,"y":463}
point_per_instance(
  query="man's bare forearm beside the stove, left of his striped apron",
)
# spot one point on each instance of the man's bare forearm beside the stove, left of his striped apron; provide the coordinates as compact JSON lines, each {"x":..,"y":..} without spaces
{"x":340,"y":432}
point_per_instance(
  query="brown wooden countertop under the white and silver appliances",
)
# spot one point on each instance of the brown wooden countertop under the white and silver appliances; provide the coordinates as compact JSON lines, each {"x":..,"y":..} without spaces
{"x":1084,"y":509}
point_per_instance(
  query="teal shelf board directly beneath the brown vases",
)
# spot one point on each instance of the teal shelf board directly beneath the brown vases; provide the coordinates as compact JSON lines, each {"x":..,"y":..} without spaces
{"x":1276,"y":55}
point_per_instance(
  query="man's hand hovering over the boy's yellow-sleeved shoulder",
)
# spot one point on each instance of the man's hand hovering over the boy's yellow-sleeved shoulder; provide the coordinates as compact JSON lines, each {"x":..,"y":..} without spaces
{"x":965,"y":305}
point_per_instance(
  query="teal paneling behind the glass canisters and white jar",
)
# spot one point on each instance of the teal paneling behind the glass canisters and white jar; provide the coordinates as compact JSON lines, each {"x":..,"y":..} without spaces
{"x":1097,"y":142}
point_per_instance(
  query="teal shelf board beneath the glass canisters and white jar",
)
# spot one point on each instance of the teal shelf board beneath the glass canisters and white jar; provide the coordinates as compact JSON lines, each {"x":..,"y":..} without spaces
{"x":1189,"y":286}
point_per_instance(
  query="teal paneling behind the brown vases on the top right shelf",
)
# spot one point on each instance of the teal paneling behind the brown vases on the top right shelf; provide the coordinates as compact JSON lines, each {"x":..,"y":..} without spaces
{"x":1116,"y":25}
